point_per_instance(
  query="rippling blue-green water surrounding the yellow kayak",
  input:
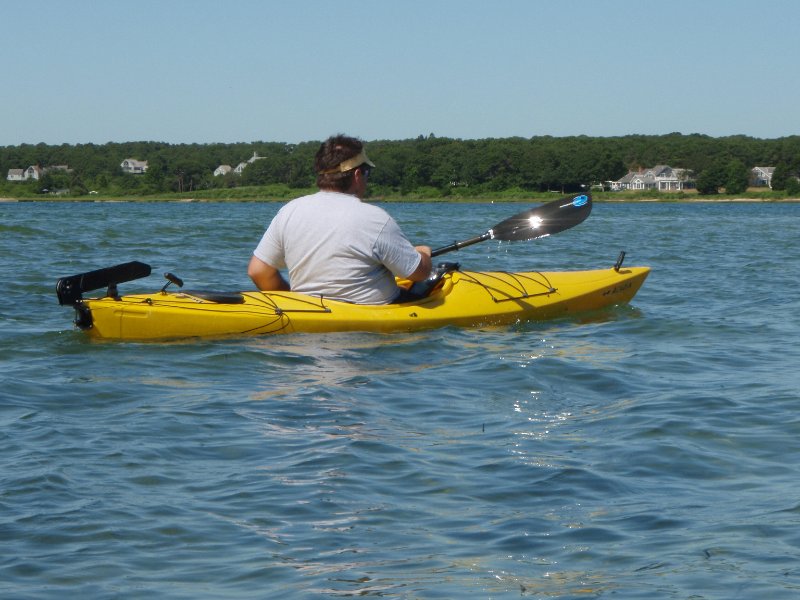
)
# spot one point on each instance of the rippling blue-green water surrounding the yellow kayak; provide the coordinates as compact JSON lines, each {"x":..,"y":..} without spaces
{"x":650,"y":451}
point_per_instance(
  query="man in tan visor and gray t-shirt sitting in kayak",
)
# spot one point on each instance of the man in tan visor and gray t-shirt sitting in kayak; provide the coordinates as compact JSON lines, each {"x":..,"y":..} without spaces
{"x":333,"y":244}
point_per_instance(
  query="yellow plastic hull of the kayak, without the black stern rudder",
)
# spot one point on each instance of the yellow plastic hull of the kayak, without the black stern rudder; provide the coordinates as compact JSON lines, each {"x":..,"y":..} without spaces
{"x":463,"y":298}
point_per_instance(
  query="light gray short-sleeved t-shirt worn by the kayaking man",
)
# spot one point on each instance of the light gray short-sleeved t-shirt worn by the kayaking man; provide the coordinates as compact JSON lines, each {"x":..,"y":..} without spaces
{"x":338,"y":247}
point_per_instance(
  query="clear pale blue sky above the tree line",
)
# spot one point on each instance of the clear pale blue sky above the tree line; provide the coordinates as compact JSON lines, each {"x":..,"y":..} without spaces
{"x":186,"y":71}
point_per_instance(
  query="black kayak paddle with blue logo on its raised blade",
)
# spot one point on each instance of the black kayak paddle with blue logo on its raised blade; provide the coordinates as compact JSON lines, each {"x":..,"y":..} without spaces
{"x":541,"y":221}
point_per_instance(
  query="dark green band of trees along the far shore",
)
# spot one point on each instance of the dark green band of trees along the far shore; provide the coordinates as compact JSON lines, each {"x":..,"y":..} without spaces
{"x":427,"y":165}
